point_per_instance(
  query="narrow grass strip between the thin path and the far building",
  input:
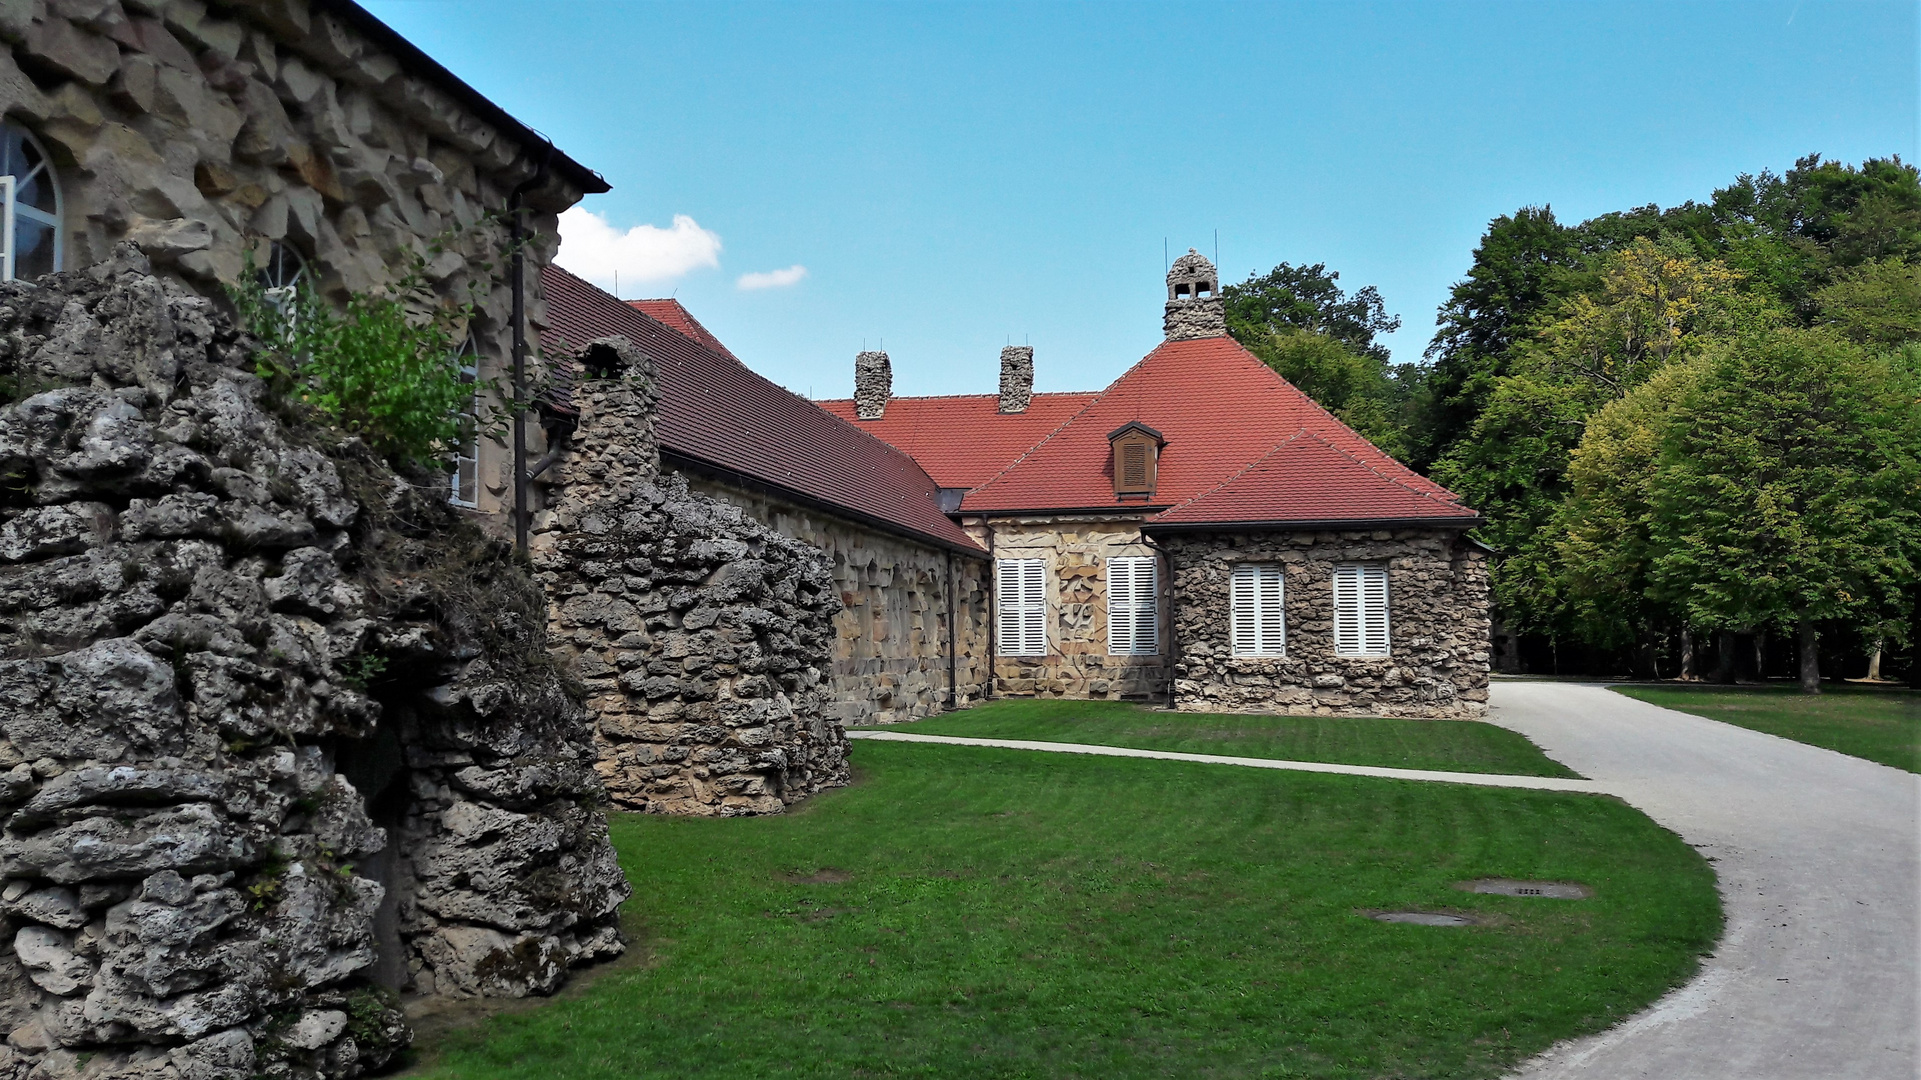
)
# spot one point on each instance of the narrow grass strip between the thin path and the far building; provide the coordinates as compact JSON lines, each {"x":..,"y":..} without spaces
{"x":1457,"y":747}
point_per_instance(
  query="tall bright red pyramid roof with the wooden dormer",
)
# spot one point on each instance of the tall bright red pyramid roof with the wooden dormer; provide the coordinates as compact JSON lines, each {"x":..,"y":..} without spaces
{"x":1219,"y":410}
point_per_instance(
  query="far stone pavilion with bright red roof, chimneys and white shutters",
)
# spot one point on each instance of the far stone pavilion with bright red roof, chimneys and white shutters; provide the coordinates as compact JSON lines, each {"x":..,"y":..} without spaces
{"x":1202,"y":533}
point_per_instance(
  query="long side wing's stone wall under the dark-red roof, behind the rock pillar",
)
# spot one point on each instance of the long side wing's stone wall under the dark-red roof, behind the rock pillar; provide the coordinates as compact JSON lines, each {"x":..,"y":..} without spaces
{"x":890,"y":637}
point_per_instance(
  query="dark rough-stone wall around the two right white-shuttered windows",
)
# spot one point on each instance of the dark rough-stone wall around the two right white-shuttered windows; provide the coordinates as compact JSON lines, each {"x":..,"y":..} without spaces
{"x":1438,"y":626}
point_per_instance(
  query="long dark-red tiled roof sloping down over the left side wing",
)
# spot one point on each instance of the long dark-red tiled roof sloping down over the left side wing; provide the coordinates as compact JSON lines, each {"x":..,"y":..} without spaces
{"x":717,"y":412}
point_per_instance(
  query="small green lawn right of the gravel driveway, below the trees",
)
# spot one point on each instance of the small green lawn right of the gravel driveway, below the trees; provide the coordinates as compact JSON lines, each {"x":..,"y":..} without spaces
{"x":1874,"y":724}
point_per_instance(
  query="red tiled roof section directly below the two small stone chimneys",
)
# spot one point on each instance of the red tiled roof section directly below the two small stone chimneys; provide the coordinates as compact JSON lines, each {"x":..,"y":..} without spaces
{"x":965,"y":441}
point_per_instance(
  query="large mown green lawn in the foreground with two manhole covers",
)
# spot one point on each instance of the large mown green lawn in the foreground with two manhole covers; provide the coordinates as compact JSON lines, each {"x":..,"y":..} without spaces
{"x":996,"y":914}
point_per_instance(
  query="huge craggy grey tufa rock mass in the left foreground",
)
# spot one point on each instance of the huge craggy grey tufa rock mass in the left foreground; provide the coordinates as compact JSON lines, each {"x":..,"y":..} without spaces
{"x":228,"y":660}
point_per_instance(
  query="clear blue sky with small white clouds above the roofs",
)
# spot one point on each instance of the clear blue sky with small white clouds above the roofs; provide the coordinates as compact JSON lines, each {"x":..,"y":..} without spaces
{"x":960,"y":176}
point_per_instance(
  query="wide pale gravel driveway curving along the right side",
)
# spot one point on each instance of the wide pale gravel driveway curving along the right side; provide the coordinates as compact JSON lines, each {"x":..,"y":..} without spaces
{"x":1820,"y":864}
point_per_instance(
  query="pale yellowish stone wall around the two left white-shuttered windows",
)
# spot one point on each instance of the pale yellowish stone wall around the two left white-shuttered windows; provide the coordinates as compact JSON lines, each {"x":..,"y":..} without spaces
{"x":1077,"y":664}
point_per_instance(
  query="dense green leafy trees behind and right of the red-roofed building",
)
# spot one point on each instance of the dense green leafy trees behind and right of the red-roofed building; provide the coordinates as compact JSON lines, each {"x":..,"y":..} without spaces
{"x":1693,"y":431}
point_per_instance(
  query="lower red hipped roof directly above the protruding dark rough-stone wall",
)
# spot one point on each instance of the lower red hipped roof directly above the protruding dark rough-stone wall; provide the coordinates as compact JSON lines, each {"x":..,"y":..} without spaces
{"x":1309,"y":479}
